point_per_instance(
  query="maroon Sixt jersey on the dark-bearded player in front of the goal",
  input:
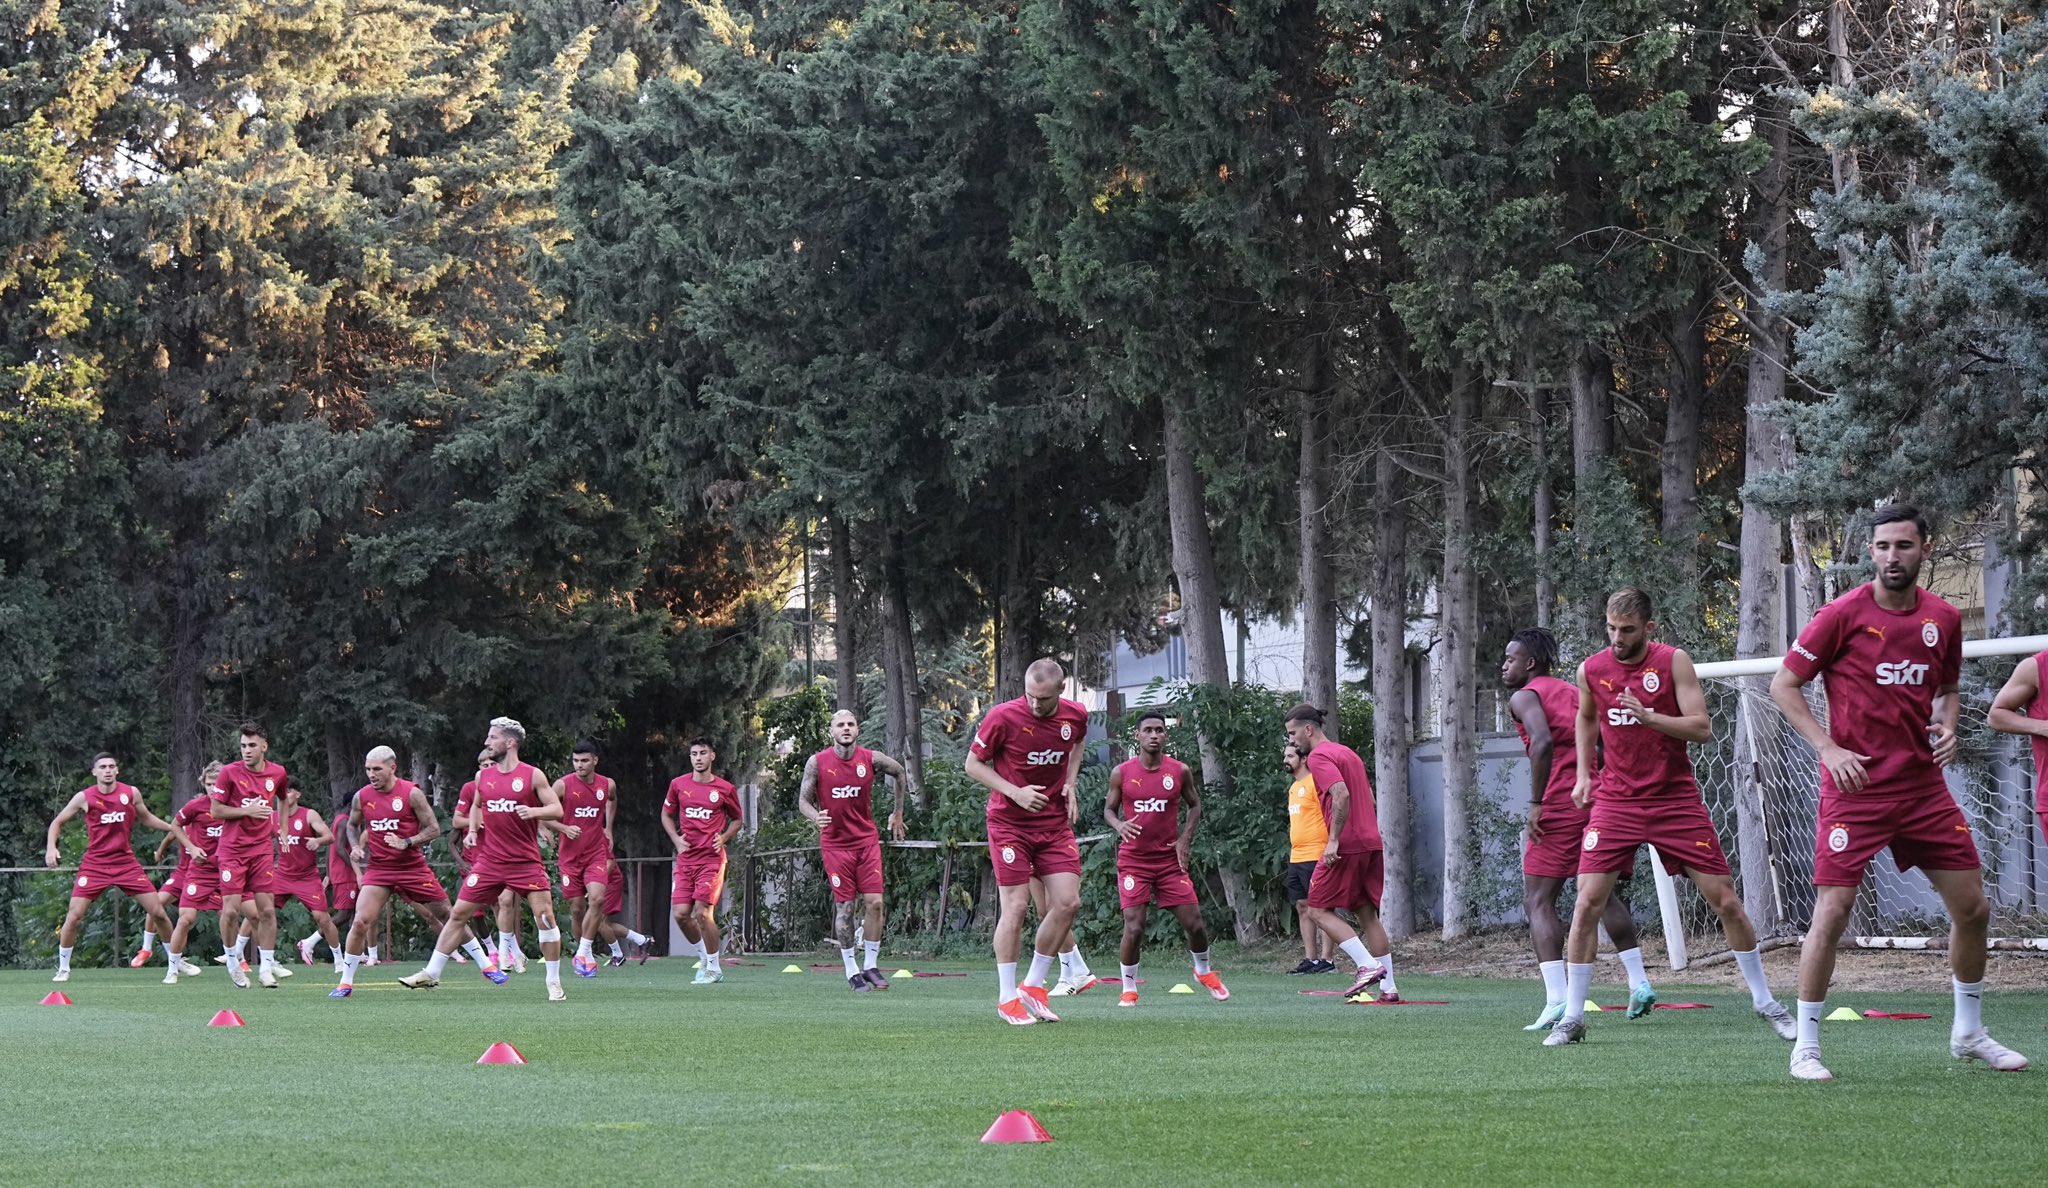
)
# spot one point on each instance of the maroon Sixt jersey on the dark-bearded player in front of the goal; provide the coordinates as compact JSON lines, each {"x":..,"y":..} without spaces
{"x":1881,"y":671}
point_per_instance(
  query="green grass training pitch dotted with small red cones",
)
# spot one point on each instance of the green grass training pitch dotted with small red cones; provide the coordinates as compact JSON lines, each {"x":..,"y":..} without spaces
{"x":773,"y":1078}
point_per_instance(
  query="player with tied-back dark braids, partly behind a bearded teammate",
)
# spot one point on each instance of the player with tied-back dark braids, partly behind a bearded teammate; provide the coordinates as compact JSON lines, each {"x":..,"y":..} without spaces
{"x":1547,"y":714}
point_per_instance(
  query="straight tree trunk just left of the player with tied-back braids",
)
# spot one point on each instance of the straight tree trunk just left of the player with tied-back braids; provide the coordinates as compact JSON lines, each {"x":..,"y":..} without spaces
{"x":1461,"y":652}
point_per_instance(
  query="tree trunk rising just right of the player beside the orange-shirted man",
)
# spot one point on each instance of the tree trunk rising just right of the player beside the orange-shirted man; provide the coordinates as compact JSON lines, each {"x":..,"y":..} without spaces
{"x":1392,"y":687}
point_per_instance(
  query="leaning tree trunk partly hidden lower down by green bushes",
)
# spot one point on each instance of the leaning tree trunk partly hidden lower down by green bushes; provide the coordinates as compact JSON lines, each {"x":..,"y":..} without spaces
{"x":1201,"y":603}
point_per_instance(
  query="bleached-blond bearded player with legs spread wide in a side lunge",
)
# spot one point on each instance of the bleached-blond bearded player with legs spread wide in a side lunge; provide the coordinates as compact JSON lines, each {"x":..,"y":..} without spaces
{"x":513,"y":802}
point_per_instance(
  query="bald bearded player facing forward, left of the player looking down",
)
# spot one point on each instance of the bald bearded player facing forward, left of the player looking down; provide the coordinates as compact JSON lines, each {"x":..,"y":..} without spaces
{"x":849,"y":841}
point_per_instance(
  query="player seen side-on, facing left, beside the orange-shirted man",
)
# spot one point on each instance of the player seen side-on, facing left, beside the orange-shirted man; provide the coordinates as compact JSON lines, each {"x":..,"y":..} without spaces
{"x":1353,"y":869}
